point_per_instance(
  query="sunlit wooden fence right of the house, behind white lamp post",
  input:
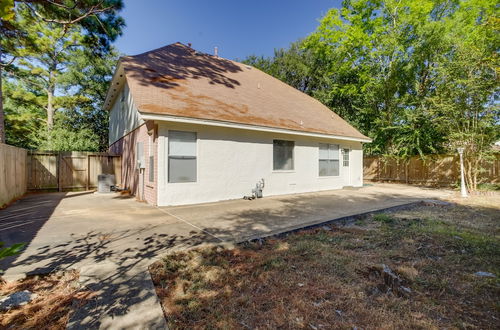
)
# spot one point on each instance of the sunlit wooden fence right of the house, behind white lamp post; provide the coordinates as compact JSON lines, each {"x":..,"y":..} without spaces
{"x":434,"y":170}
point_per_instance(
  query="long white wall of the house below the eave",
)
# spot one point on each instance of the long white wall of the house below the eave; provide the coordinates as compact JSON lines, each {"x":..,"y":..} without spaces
{"x":231,"y":161}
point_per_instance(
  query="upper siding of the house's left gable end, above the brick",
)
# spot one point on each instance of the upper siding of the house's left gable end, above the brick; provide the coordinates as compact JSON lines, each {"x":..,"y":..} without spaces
{"x":123,"y":120}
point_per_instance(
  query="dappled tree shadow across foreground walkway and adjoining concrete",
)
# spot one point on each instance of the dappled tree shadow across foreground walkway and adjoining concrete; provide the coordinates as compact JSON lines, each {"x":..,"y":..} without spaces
{"x":119,"y":266}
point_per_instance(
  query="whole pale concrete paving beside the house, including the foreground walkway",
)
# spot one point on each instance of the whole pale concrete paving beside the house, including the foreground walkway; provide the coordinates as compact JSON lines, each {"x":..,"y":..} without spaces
{"x":112,"y":240}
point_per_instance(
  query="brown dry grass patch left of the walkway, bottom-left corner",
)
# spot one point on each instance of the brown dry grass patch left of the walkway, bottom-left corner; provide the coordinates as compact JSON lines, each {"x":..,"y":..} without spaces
{"x":56,"y":294}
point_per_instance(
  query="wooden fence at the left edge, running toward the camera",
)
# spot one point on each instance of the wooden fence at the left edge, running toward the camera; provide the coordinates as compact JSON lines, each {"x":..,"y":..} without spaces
{"x":13,"y":182}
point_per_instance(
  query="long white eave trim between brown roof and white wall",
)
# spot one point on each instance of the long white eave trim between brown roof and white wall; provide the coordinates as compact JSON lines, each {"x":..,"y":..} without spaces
{"x":209,"y":122}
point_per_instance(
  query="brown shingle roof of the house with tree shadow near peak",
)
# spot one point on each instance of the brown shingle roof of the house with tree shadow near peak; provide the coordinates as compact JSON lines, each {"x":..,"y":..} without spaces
{"x":176,"y":80}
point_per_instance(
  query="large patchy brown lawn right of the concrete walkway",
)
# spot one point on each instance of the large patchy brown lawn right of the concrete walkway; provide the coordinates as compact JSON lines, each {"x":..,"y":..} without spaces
{"x":321,"y":278}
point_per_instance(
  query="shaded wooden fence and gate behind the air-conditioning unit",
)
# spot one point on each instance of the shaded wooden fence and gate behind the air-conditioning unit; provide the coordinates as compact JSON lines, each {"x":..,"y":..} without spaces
{"x":65,"y":171}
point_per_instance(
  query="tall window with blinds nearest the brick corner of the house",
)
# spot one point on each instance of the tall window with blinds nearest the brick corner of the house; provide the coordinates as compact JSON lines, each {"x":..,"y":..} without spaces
{"x":181,"y":156}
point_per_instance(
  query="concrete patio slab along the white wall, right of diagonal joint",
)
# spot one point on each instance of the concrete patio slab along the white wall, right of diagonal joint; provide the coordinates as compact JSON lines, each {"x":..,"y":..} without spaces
{"x":240,"y":220}
